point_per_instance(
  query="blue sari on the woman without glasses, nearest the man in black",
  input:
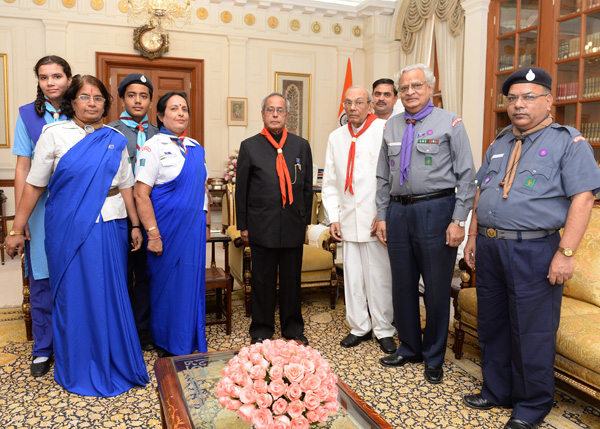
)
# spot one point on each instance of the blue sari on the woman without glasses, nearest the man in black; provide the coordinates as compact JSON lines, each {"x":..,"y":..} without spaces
{"x":177,"y":285}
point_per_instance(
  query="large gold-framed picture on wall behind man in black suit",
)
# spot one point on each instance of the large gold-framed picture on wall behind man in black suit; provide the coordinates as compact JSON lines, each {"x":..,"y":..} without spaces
{"x":296,"y":88}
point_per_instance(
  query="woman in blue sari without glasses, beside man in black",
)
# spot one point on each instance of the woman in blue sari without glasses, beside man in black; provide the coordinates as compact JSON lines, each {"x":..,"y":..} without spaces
{"x":171,"y":202}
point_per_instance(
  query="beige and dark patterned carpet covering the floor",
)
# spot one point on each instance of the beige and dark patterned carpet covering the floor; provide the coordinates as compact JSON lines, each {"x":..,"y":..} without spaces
{"x":400,"y":395}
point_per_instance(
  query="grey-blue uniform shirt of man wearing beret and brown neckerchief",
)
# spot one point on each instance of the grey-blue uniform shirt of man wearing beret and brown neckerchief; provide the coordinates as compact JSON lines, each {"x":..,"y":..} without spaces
{"x":556,"y":163}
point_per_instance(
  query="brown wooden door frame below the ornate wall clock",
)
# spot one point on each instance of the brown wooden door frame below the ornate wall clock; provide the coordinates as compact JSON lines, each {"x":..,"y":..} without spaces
{"x":106,"y":60}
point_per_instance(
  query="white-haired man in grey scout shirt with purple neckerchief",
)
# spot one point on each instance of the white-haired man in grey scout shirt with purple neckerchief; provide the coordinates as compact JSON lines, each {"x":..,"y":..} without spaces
{"x":425,"y":190}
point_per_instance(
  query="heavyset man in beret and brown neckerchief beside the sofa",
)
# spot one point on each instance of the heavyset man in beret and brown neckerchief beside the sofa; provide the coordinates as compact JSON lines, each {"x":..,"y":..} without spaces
{"x":537,"y":177}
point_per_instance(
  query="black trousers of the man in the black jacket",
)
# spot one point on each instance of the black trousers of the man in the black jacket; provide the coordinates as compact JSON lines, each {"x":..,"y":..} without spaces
{"x":266,"y":263}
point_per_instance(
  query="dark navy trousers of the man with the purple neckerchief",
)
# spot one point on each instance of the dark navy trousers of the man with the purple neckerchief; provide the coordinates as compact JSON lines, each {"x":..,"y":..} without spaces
{"x":416,"y":238}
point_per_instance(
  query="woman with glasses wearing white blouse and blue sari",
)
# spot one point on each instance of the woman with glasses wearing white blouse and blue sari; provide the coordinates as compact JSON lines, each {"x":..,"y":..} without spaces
{"x":86,"y":169}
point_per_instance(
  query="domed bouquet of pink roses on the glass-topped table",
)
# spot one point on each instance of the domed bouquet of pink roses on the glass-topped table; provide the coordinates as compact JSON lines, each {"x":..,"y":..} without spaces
{"x":279,"y":384}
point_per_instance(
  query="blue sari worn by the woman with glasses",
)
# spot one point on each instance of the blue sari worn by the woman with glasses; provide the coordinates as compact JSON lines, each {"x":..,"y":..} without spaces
{"x":96,"y":346}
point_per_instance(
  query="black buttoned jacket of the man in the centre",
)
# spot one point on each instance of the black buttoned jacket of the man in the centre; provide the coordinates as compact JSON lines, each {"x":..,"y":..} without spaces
{"x":258,"y":199}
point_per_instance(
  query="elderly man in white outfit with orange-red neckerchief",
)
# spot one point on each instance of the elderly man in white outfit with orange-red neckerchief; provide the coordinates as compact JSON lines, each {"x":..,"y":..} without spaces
{"x":349,"y":186}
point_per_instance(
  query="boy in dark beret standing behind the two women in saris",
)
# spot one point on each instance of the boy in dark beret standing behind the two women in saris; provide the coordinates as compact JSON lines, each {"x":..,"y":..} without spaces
{"x":135,"y":91}
